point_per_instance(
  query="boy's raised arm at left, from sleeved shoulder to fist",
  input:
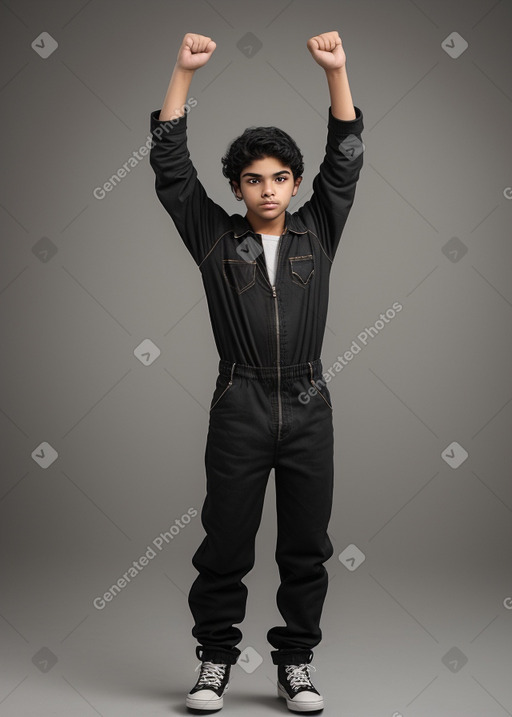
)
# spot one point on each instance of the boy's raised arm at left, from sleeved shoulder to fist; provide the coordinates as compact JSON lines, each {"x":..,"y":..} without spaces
{"x":197,"y":218}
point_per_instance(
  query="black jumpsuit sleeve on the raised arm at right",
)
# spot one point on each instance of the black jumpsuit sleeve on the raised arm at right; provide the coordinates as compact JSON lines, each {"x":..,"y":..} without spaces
{"x":335,"y":184}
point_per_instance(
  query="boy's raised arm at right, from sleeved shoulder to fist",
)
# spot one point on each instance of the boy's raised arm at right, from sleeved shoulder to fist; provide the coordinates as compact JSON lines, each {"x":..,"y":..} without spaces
{"x":335,"y":184}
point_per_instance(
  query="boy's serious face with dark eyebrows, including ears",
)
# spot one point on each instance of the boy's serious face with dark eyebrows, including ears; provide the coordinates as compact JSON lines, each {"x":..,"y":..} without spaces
{"x":266,"y":186}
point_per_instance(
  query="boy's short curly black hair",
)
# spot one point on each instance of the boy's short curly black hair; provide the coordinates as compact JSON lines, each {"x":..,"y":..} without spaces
{"x":257,"y":143}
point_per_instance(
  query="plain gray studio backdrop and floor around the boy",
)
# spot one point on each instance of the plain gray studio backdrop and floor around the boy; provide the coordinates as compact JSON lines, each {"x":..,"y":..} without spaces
{"x":109,"y":364}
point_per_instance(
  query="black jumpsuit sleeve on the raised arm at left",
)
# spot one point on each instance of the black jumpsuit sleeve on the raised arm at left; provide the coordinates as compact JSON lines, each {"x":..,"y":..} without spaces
{"x":198,"y":219}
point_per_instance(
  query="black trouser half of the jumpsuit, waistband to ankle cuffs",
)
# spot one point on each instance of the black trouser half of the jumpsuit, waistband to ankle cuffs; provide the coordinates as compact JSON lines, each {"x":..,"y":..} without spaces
{"x":245,"y":440}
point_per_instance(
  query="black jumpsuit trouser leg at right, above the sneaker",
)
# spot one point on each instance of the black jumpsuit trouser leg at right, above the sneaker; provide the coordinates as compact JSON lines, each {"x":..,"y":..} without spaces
{"x":304,"y":493}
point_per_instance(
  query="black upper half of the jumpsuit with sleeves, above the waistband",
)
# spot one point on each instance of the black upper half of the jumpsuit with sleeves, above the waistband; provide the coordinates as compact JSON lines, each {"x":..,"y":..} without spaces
{"x":253,"y":322}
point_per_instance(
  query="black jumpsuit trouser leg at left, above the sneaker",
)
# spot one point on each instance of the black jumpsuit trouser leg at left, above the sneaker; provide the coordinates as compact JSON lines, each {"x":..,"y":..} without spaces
{"x":238,"y":460}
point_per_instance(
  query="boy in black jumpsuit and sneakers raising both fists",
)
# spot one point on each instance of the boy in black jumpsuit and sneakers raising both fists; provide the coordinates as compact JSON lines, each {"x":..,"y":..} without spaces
{"x":266,"y":279}
